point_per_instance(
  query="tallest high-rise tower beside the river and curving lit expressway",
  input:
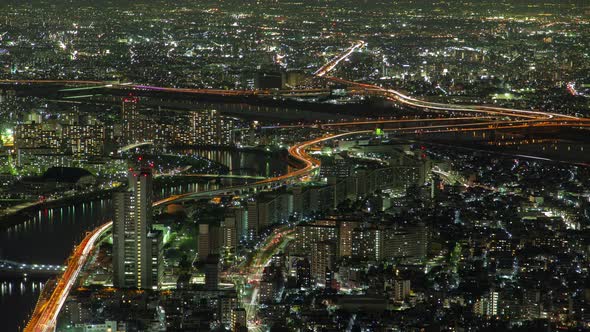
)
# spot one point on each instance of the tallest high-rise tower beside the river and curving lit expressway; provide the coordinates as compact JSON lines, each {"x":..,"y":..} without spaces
{"x":136,"y":247}
